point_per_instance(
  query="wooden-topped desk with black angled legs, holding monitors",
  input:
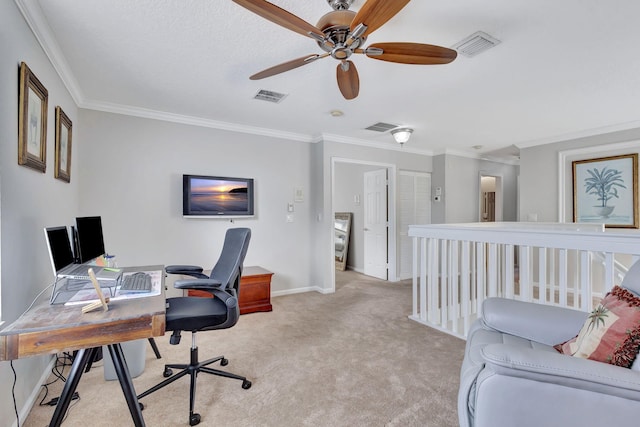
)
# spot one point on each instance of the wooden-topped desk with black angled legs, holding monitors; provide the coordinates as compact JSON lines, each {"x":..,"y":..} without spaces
{"x":50,"y":329}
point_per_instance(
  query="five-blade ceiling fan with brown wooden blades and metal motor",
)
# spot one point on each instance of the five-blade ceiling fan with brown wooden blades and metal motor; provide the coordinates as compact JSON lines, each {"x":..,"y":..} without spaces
{"x":342,"y":33}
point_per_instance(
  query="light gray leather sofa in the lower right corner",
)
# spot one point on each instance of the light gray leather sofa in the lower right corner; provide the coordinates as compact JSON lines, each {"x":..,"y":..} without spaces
{"x":512,"y":376}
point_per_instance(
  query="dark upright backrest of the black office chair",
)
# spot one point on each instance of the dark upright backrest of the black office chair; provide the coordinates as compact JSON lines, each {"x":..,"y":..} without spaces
{"x":228,"y":269}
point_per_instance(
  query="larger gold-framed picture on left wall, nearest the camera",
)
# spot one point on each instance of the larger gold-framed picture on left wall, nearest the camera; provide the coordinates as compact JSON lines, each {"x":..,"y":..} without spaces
{"x":32,"y":121}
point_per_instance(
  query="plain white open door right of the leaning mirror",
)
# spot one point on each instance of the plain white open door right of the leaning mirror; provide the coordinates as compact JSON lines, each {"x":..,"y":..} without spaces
{"x":375,"y":224}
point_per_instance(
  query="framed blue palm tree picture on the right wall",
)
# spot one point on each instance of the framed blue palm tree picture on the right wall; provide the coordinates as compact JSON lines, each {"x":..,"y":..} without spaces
{"x":605,"y":190}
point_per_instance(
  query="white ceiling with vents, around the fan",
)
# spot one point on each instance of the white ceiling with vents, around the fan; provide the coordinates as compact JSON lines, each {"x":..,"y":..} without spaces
{"x":563,"y":69}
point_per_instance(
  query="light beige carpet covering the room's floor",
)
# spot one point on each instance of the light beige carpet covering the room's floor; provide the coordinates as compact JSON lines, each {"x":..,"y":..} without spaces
{"x":352,"y":358}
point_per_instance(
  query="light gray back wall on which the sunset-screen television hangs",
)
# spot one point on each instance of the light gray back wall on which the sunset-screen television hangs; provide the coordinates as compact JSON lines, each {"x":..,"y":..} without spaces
{"x":132,"y":176}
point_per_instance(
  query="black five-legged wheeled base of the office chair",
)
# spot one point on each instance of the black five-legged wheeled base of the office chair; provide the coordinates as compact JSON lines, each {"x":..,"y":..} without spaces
{"x":193,"y":369}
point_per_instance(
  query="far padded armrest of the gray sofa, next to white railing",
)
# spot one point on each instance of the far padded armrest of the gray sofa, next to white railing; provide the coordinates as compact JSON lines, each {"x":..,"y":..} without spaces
{"x":537,"y":322}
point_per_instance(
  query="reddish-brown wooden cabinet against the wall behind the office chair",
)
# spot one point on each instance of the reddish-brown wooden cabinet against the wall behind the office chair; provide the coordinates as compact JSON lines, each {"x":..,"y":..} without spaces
{"x":255,"y":290}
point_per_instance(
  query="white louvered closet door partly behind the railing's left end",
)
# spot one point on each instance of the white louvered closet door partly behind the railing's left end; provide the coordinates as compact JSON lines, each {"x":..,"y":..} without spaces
{"x":414,"y":207}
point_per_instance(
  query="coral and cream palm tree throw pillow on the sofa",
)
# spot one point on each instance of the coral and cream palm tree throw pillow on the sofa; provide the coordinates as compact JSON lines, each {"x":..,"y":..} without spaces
{"x":611,"y":333}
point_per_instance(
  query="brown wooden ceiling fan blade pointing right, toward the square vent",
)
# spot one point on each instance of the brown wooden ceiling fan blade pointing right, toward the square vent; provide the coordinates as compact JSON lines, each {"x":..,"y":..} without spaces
{"x":411,"y":53}
